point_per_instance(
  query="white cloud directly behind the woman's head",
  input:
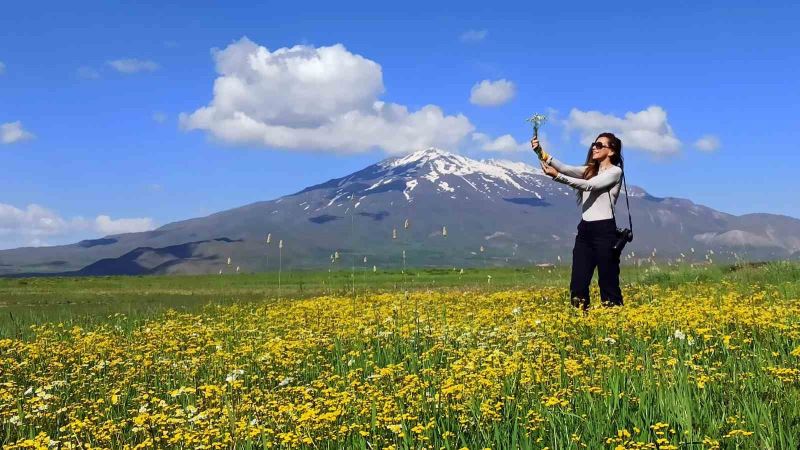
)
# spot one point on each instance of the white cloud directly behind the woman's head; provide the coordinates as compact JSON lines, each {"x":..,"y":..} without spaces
{"x":646,"y":130}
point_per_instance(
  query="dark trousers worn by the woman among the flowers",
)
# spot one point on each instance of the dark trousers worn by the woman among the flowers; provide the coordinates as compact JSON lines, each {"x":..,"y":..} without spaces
{"x":593,"y":249}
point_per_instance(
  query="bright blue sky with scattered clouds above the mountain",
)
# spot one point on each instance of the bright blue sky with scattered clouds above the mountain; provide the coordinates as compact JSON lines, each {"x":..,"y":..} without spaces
{"x":91,"y":95}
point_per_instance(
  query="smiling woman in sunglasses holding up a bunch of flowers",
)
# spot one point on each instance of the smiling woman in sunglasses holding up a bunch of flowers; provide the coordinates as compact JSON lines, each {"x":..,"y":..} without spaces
{"x":598,"y":184}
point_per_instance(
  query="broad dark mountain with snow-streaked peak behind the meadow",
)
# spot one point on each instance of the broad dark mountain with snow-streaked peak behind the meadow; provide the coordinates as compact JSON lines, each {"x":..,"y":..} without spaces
{"x":441,"y":208}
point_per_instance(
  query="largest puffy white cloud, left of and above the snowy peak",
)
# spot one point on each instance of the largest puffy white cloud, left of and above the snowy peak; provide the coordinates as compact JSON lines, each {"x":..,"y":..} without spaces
{"x":323,"y":98}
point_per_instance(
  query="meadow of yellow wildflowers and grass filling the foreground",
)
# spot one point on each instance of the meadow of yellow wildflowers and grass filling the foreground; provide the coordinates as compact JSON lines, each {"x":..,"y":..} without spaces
{"x":696,"y":365}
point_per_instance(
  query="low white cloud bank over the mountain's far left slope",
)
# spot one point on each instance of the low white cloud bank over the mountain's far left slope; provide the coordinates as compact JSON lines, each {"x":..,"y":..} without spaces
{"x":36,"y":225}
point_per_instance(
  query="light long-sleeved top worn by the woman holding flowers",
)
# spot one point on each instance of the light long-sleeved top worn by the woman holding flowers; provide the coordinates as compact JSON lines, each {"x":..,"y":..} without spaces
{"x":596,"y":204}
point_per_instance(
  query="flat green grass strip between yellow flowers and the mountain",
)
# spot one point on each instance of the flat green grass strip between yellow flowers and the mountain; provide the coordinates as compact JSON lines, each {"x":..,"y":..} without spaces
{"x":87,"y":300}
